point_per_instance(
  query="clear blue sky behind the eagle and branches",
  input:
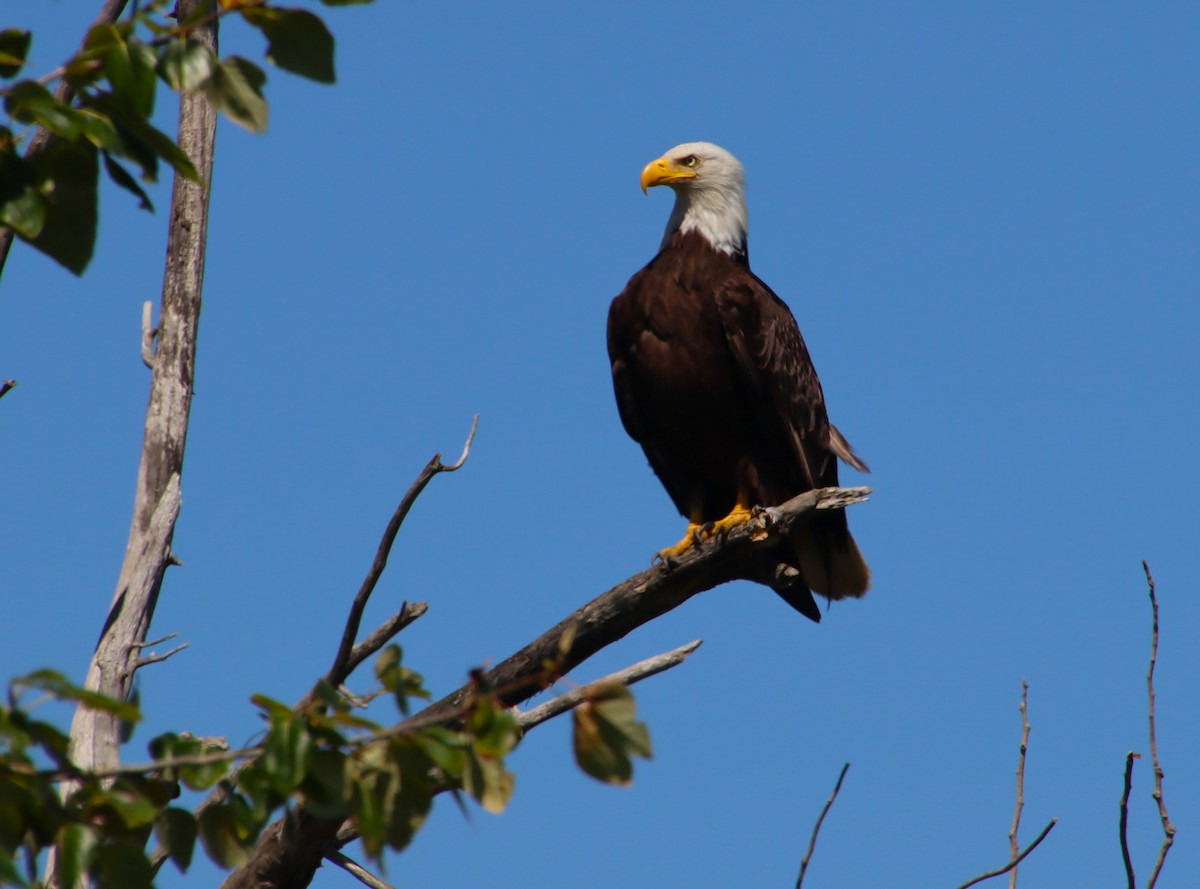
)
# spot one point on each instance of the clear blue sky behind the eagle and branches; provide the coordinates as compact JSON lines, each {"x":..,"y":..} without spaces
{"x":986,"y":219}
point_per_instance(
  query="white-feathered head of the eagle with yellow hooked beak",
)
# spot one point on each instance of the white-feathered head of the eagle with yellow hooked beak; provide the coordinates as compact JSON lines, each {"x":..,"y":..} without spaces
{"x":710,"y":187}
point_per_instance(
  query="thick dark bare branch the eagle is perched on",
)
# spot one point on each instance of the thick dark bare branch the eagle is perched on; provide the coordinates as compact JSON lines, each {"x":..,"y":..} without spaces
{"x":287,"y":855}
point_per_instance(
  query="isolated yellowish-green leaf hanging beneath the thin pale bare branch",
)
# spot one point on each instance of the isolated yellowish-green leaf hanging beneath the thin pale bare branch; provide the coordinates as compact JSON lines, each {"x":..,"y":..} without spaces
{"x":608,"y":735}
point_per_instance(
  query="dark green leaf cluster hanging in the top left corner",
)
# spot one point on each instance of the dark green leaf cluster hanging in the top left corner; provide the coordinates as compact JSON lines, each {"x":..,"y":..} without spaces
{"x":100,"y":115}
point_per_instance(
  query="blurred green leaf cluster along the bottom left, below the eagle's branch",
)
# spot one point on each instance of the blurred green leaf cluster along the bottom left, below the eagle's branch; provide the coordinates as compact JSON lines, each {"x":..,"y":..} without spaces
{"x":328,"y":761}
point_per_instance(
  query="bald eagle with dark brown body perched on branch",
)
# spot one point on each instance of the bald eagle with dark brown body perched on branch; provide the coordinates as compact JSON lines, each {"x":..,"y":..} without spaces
{"x":715,"y":381}
